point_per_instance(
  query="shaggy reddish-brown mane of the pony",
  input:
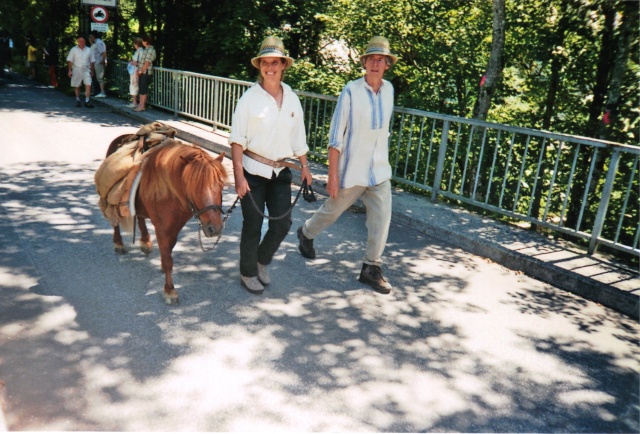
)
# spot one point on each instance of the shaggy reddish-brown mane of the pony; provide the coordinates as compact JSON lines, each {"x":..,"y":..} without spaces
{"x":181,"y":170}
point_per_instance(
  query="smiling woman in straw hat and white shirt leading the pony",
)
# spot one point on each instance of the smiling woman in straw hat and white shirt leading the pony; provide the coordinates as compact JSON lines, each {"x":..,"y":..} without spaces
{"x":267,"y":127}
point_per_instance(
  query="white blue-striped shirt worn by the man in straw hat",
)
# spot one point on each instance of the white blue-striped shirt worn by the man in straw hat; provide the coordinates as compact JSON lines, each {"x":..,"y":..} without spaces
{"x":360,"y":131}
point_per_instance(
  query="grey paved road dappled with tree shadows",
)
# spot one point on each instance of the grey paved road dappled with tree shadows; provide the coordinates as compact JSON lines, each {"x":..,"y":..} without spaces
{"x":86,"y":343}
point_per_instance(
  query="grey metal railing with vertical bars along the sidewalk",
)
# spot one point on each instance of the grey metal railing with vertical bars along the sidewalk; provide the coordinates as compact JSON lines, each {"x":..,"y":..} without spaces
{"x":585,"y":188}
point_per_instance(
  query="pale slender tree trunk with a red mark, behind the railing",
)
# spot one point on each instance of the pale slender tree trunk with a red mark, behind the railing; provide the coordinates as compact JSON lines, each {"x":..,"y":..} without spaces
{"x":494,"y":67}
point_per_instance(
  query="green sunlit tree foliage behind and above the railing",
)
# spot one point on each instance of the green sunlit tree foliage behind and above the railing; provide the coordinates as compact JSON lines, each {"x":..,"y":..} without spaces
{"x":558,"y":69}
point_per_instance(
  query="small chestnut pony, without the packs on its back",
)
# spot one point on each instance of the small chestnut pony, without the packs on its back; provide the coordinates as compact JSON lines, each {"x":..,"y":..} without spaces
{"x":179,"y":181}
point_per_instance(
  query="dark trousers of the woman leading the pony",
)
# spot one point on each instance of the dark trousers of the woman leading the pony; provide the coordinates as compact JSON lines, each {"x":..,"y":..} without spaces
{"x":275,"y":193}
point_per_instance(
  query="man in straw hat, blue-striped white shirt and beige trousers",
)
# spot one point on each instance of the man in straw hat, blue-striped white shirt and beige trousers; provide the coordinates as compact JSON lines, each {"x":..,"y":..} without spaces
{"x":359,"y":161}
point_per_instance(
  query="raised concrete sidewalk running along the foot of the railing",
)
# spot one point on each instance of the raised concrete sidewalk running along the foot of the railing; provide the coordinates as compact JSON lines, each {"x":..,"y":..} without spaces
{"x":558,"y":262}
